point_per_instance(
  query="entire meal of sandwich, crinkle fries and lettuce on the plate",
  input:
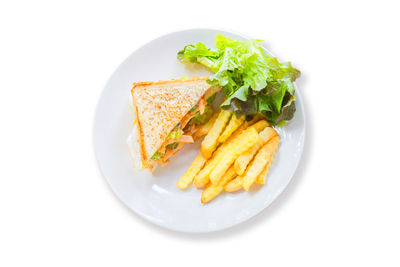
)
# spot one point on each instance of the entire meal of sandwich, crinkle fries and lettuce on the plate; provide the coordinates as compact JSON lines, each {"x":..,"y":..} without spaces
{"x":239,"y":142}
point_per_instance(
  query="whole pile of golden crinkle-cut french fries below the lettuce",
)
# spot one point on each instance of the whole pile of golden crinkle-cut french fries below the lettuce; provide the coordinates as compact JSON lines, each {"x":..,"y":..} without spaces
{"x":235,"y":154}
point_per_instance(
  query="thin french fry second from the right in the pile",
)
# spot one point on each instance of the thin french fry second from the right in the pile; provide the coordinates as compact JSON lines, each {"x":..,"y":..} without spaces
{"x":243,"y":160}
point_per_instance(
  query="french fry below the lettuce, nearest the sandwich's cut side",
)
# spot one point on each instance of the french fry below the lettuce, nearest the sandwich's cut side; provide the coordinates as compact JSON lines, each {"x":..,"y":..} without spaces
{"x":210,"y":142}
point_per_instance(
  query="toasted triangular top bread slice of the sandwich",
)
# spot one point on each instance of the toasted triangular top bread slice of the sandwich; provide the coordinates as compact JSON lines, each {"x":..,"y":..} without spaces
{"x":159,"y":107}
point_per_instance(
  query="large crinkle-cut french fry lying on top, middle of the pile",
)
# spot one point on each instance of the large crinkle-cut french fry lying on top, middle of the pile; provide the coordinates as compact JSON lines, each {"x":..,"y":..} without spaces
{"x":242,"y":142}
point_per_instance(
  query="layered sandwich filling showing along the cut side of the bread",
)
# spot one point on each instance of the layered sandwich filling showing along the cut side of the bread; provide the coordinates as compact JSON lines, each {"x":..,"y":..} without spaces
{"x":183,"y":131}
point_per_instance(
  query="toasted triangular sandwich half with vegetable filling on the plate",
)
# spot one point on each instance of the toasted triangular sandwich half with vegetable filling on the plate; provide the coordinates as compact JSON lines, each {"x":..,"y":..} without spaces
{"x":167,"y":114}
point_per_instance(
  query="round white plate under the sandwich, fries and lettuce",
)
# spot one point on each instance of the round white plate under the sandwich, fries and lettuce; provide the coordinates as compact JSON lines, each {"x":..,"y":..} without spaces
{"x":156,"y":197}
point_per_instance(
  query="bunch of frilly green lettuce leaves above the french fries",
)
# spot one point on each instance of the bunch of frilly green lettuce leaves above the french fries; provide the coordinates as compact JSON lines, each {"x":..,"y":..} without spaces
{"x":253,"y":82}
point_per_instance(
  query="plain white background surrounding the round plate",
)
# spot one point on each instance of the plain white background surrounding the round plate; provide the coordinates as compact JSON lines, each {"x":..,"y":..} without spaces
{"x":342,"y":208}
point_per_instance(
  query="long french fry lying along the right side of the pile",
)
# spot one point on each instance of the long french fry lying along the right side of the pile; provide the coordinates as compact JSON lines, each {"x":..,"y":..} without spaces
{"x":262,"y":159}
